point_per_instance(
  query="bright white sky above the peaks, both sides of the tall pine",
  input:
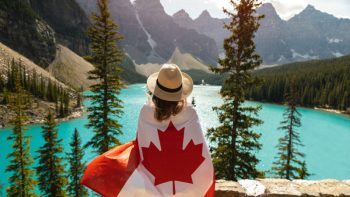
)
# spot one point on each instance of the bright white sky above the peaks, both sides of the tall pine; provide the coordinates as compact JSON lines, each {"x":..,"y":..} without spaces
{"x":285,"y":8}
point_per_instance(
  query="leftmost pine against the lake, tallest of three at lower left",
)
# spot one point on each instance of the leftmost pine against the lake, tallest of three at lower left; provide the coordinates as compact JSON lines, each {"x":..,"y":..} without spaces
{"x":21,"y":181}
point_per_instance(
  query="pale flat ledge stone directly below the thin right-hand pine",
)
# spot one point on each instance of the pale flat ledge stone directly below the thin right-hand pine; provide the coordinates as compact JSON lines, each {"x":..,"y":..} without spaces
{"x":280,"y":187}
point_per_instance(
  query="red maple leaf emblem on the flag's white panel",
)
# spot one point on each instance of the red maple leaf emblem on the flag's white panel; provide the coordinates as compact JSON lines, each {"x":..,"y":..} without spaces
{"x":171,"y":163}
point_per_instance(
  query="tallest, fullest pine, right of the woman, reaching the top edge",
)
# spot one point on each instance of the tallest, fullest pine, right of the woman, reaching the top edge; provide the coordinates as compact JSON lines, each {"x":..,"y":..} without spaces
{"x":234,"y":143}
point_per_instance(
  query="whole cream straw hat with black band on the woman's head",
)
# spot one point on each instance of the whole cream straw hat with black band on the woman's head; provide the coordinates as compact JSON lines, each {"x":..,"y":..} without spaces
{"x":170,"y":83}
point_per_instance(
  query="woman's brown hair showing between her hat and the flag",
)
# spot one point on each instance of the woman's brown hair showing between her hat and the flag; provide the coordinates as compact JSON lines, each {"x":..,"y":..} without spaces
{"x":164,"y":109}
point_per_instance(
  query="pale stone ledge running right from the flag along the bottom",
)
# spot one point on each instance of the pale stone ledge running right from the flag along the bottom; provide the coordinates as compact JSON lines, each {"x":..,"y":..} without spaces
{"x":282,"y":188}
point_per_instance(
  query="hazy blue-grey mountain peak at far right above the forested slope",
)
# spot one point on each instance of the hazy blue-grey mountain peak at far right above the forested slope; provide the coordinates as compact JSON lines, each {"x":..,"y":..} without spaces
{"x":326,"y":35}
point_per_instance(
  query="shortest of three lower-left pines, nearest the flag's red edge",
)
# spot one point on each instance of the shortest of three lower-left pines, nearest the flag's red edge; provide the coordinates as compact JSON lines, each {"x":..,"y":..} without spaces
{"x":76,"y":170}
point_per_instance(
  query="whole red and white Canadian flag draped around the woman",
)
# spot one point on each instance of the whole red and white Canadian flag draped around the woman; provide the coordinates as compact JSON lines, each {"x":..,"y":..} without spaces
{"x":169,"y":158}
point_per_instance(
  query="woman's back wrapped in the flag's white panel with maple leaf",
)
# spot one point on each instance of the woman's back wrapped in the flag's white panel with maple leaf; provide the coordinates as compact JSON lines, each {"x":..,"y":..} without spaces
{"x":174,"y":154}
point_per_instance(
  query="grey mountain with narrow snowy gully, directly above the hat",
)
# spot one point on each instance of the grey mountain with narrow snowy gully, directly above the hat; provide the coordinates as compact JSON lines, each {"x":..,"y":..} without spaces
{"x":151,"y":35}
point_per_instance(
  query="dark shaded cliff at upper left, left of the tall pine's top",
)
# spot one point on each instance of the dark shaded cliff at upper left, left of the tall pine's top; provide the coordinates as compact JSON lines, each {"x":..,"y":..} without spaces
{"x":68,"y":20}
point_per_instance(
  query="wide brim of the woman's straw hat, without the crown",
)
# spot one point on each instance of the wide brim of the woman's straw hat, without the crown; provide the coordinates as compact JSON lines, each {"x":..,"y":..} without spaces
{"x":186,"y":90}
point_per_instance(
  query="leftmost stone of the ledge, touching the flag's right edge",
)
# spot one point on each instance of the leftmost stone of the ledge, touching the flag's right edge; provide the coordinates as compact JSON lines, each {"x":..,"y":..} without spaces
{"x":228,"y":189}
